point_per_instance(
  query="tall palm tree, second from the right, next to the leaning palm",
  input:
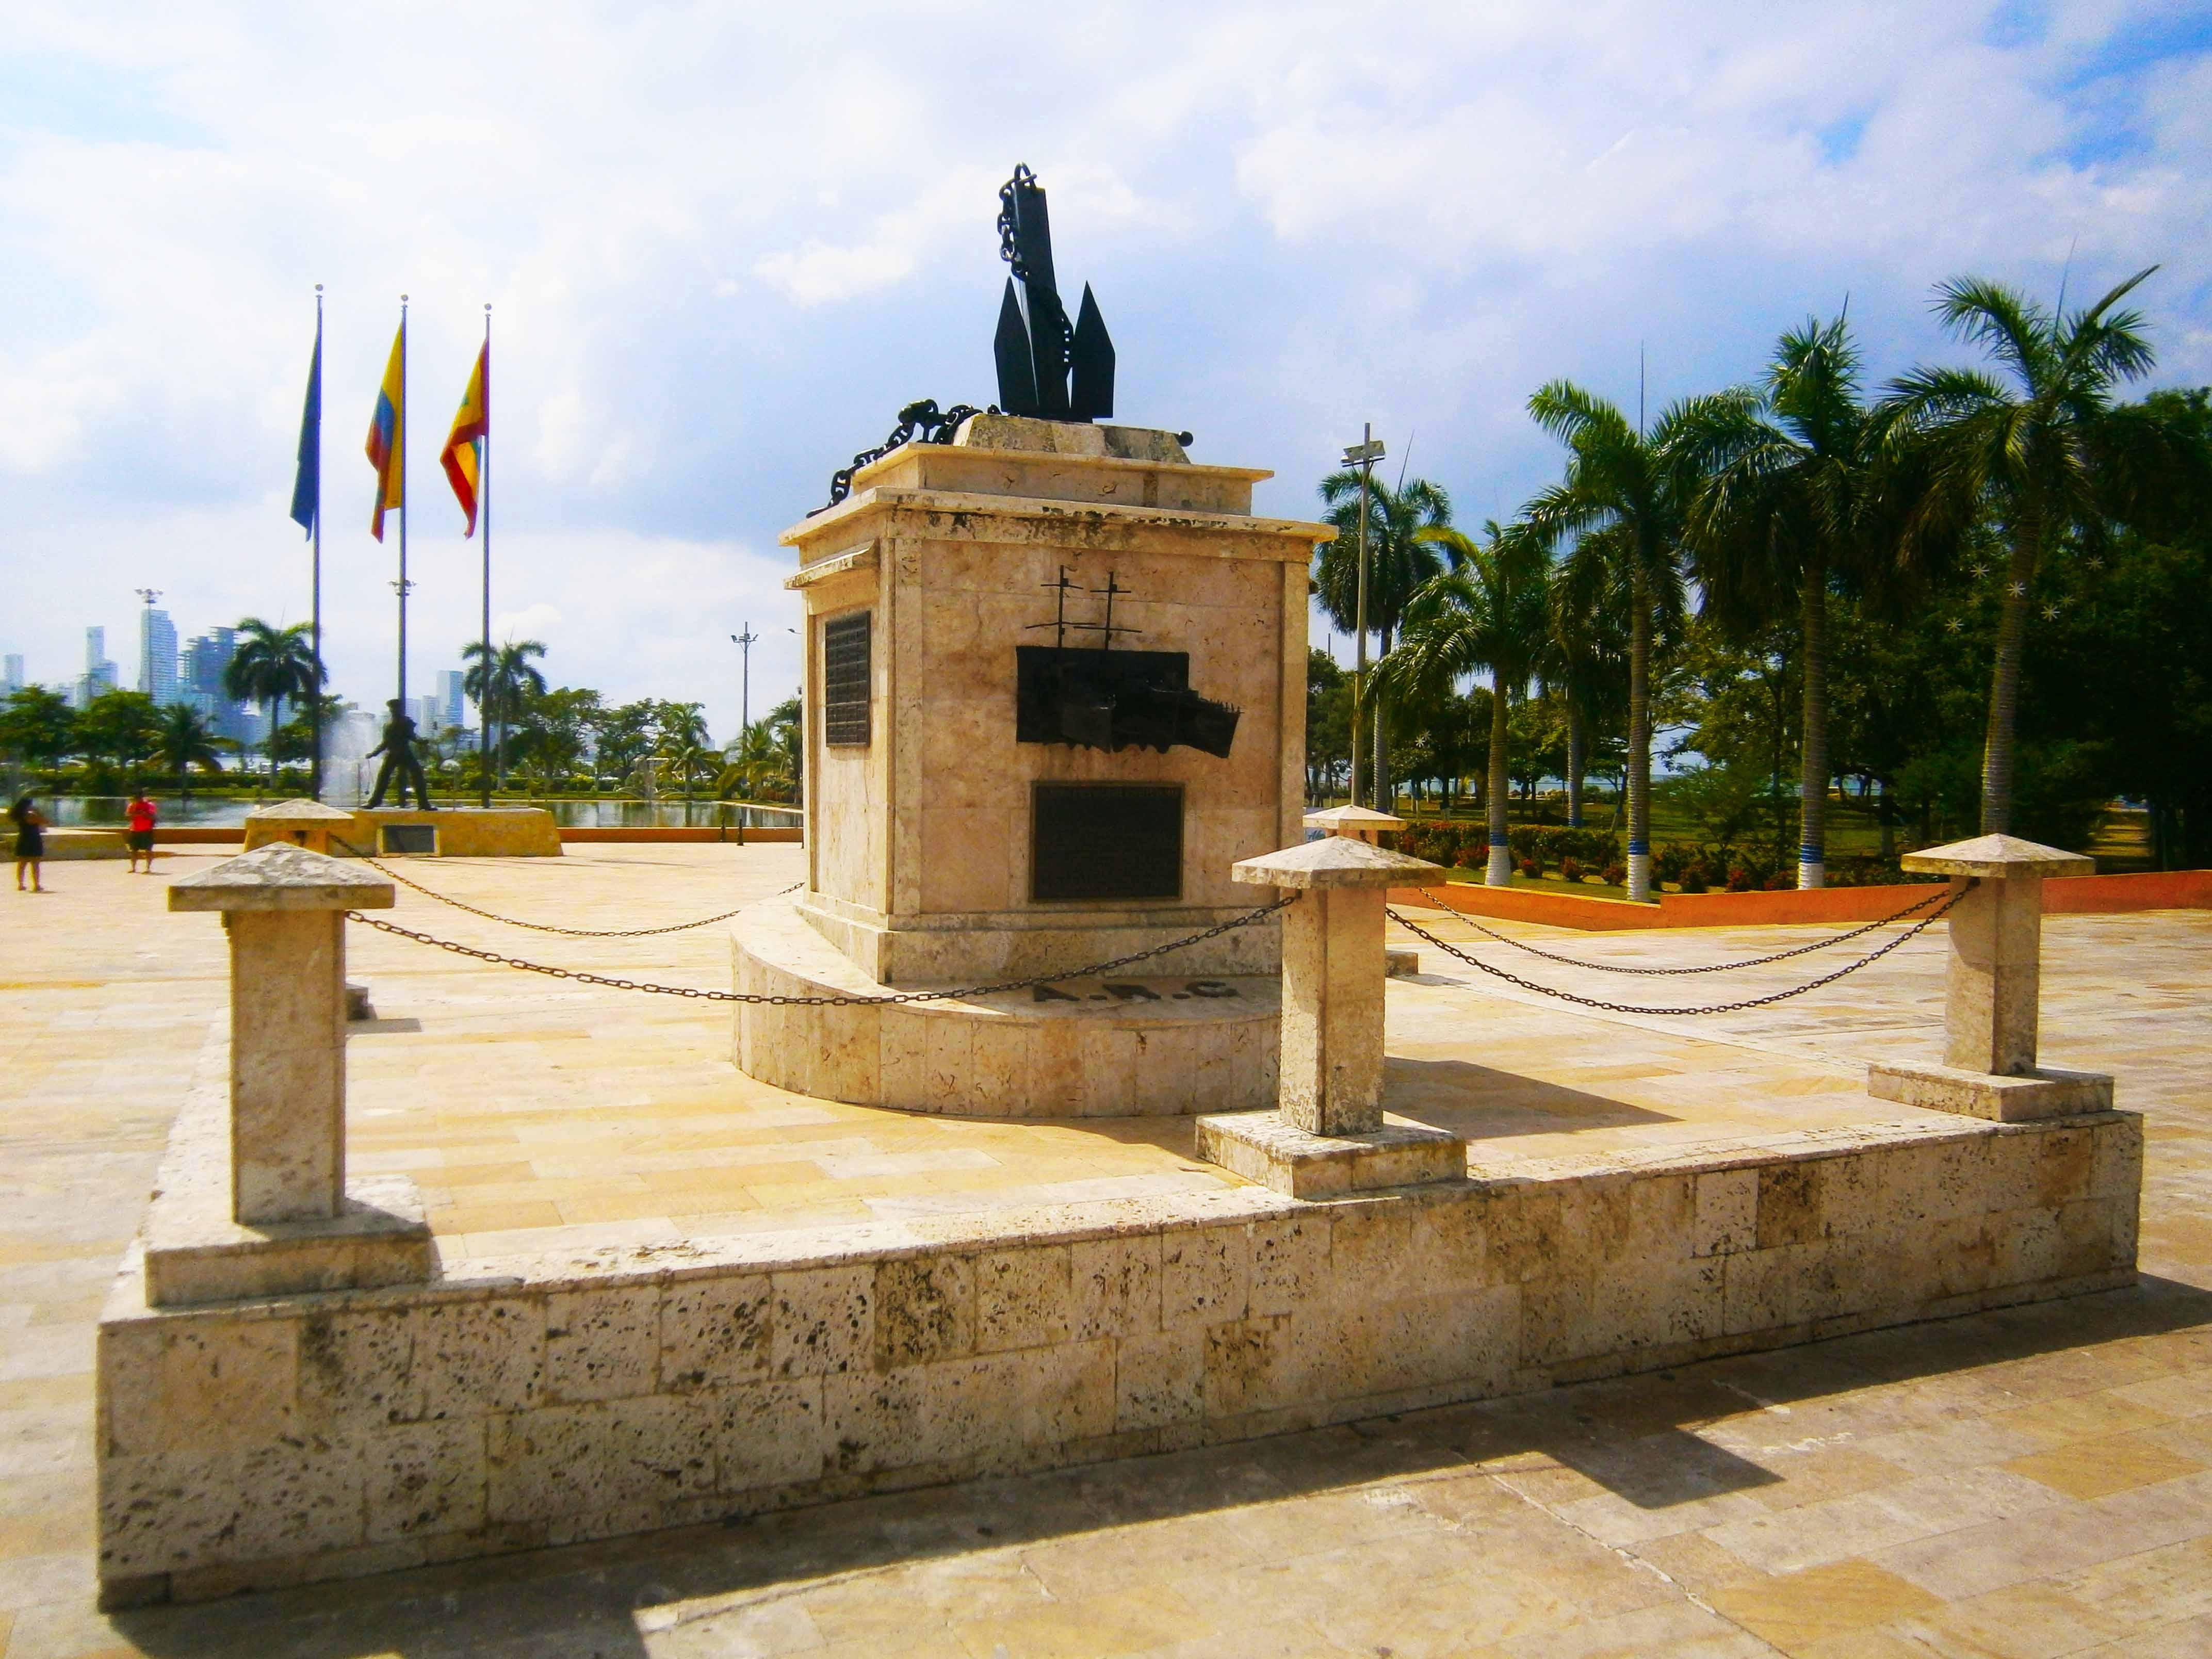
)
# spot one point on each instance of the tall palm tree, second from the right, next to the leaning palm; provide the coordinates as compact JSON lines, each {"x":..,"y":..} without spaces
{"x":1797,"y":499}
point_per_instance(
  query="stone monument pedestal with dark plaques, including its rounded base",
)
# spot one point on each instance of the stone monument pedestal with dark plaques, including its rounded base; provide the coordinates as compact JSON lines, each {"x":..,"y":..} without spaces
{"x":1056,"y":687}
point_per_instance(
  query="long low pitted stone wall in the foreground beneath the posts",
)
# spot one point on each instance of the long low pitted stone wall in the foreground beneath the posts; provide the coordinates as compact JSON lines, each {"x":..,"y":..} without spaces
{"x":585,"y":1395}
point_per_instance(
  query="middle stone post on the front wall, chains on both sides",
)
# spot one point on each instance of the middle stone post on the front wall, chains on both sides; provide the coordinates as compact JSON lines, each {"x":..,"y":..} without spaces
{"x":1328,"y":1131}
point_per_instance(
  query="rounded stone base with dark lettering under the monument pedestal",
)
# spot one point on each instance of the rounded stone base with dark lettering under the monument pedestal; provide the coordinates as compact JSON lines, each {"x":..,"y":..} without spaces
{"x":1120,"y":1047}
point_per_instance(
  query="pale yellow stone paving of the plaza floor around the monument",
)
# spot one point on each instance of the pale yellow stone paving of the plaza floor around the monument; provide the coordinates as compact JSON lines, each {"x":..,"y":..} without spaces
{"x":2021,"y":1483}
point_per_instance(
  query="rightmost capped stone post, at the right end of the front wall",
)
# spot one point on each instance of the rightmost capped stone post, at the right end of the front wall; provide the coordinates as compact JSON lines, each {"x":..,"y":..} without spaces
{"x":1992,"y":992}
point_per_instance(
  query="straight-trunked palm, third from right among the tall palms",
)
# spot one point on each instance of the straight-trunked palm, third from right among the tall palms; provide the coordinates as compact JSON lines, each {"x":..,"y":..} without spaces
{"x":1625,"y":497}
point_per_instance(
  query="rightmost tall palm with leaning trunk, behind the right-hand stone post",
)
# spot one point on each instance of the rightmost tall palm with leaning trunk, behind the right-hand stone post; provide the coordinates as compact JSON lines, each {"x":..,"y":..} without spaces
{"x":2045,"y":450}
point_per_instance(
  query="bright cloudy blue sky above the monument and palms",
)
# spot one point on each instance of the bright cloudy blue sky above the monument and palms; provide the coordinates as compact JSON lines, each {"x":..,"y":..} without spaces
{"x":727,"y":242}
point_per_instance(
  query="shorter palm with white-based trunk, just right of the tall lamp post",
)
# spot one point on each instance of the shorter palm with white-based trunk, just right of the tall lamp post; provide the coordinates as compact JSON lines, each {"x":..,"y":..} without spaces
{"x":1485,"y":614}
